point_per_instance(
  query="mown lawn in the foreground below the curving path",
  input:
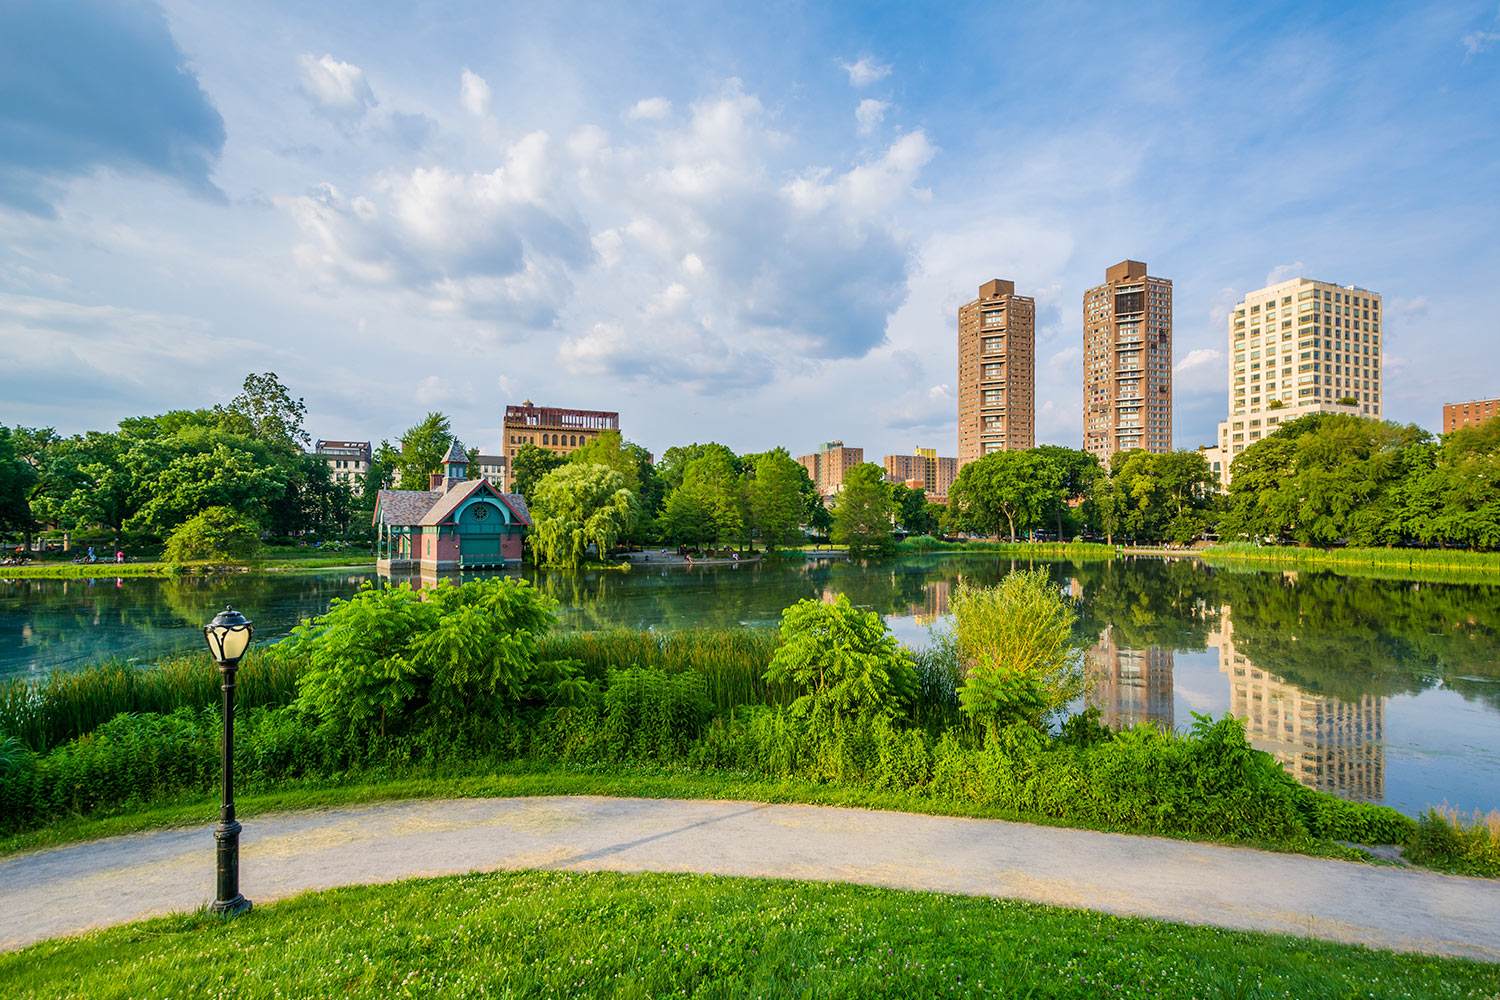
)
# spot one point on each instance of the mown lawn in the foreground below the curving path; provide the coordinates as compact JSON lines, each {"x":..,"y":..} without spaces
{"x":634,"y":936}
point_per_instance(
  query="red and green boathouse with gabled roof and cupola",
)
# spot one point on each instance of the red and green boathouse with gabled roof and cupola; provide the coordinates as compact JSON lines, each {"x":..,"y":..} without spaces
{"x":458,"y":524}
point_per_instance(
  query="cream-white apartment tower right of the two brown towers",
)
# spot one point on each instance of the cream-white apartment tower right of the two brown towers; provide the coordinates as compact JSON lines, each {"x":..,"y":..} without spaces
{"x":1297,"y":349}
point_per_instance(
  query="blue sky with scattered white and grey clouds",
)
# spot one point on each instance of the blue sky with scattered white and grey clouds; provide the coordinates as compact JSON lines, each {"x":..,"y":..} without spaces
{"x":749,"y":224}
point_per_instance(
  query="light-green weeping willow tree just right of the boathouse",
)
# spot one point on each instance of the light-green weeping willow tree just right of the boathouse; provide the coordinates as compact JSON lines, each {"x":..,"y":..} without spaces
{"x":578,"y":506}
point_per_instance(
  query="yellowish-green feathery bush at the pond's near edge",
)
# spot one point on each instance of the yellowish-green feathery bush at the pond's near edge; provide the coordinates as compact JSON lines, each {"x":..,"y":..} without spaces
{"x":1016,"y":645}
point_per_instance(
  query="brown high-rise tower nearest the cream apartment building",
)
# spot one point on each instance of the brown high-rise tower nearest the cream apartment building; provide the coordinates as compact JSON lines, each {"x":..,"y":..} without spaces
{"x":1127,"y":362}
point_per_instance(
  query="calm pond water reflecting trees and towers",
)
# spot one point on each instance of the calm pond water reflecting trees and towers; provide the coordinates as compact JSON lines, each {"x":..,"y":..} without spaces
{"x":1376,"y":690}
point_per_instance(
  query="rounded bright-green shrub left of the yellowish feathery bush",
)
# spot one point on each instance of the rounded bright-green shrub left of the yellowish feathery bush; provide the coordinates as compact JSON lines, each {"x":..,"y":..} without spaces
{"x":842,"y":660}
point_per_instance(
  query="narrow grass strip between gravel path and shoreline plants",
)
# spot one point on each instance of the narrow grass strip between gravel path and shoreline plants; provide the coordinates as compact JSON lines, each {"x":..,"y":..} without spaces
{"x":542,"y":779}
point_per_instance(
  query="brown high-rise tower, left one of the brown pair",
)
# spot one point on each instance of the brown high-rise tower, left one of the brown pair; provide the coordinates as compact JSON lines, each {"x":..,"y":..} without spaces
{"x":997,"y":373}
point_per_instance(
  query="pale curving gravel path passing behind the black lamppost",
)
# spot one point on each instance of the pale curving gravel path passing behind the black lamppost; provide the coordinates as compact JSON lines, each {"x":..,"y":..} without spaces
{"x":71,"y":890}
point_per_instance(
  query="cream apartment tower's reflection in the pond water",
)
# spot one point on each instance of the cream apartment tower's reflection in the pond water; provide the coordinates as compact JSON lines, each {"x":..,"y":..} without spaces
{"x":1322,"y":741}
